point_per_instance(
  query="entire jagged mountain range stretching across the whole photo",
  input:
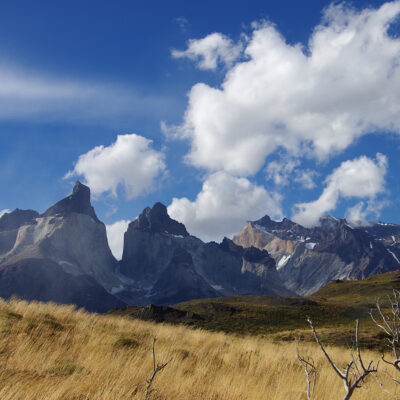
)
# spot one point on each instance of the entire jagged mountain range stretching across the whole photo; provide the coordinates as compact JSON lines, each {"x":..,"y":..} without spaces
{"x":63,"y":256}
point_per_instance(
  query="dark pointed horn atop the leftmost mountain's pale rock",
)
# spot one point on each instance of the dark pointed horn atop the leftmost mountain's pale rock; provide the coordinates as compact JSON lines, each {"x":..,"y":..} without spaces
{"x":78,"y":202}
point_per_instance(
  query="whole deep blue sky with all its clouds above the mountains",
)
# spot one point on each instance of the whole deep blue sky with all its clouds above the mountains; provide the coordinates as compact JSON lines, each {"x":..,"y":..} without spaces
{"x":223,"y":111}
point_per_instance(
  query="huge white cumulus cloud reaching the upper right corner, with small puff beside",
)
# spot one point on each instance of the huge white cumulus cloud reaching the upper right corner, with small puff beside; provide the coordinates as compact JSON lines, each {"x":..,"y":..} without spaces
{"x":314,"y":100}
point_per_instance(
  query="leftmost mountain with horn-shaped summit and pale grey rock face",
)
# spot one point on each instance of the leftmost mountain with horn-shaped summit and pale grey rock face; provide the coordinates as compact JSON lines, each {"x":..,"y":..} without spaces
{"x":65,"y":248}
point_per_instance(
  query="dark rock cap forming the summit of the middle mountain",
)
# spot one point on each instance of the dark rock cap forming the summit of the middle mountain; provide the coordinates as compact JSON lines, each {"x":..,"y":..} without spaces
{"x":156,"y":219}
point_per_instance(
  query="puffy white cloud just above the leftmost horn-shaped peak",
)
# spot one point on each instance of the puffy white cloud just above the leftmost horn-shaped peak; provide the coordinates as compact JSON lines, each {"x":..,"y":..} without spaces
{"x":130,"y":162}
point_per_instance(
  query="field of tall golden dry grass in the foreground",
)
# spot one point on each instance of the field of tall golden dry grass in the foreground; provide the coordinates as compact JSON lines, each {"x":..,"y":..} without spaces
{"x":50,"y":352}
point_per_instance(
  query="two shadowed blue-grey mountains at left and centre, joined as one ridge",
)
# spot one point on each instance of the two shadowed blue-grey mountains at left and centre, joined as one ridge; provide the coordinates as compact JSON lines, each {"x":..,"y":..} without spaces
{"x":63,"y":255}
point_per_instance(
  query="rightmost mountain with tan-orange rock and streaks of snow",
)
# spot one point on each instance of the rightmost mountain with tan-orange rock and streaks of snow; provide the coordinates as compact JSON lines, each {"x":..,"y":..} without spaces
{"x":307,"y":259}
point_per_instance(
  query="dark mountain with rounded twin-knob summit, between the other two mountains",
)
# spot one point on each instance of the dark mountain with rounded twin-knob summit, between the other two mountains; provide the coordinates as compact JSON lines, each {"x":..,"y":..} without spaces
{"x":153,"y":246}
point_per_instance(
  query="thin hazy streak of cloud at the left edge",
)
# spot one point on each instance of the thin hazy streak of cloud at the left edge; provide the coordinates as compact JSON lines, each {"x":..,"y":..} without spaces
{"x":29,"y":94}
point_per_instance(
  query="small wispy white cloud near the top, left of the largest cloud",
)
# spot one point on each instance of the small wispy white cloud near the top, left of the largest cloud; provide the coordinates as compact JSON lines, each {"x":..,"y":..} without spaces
{"x":211,"y":51}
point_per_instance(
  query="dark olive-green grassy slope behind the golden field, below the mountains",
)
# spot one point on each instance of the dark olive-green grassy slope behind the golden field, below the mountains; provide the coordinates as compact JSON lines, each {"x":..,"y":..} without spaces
{"x":334,"y":308}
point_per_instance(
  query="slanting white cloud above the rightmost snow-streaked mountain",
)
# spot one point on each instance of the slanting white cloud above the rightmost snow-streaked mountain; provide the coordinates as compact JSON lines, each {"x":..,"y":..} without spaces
{"x":359,"y":178}
